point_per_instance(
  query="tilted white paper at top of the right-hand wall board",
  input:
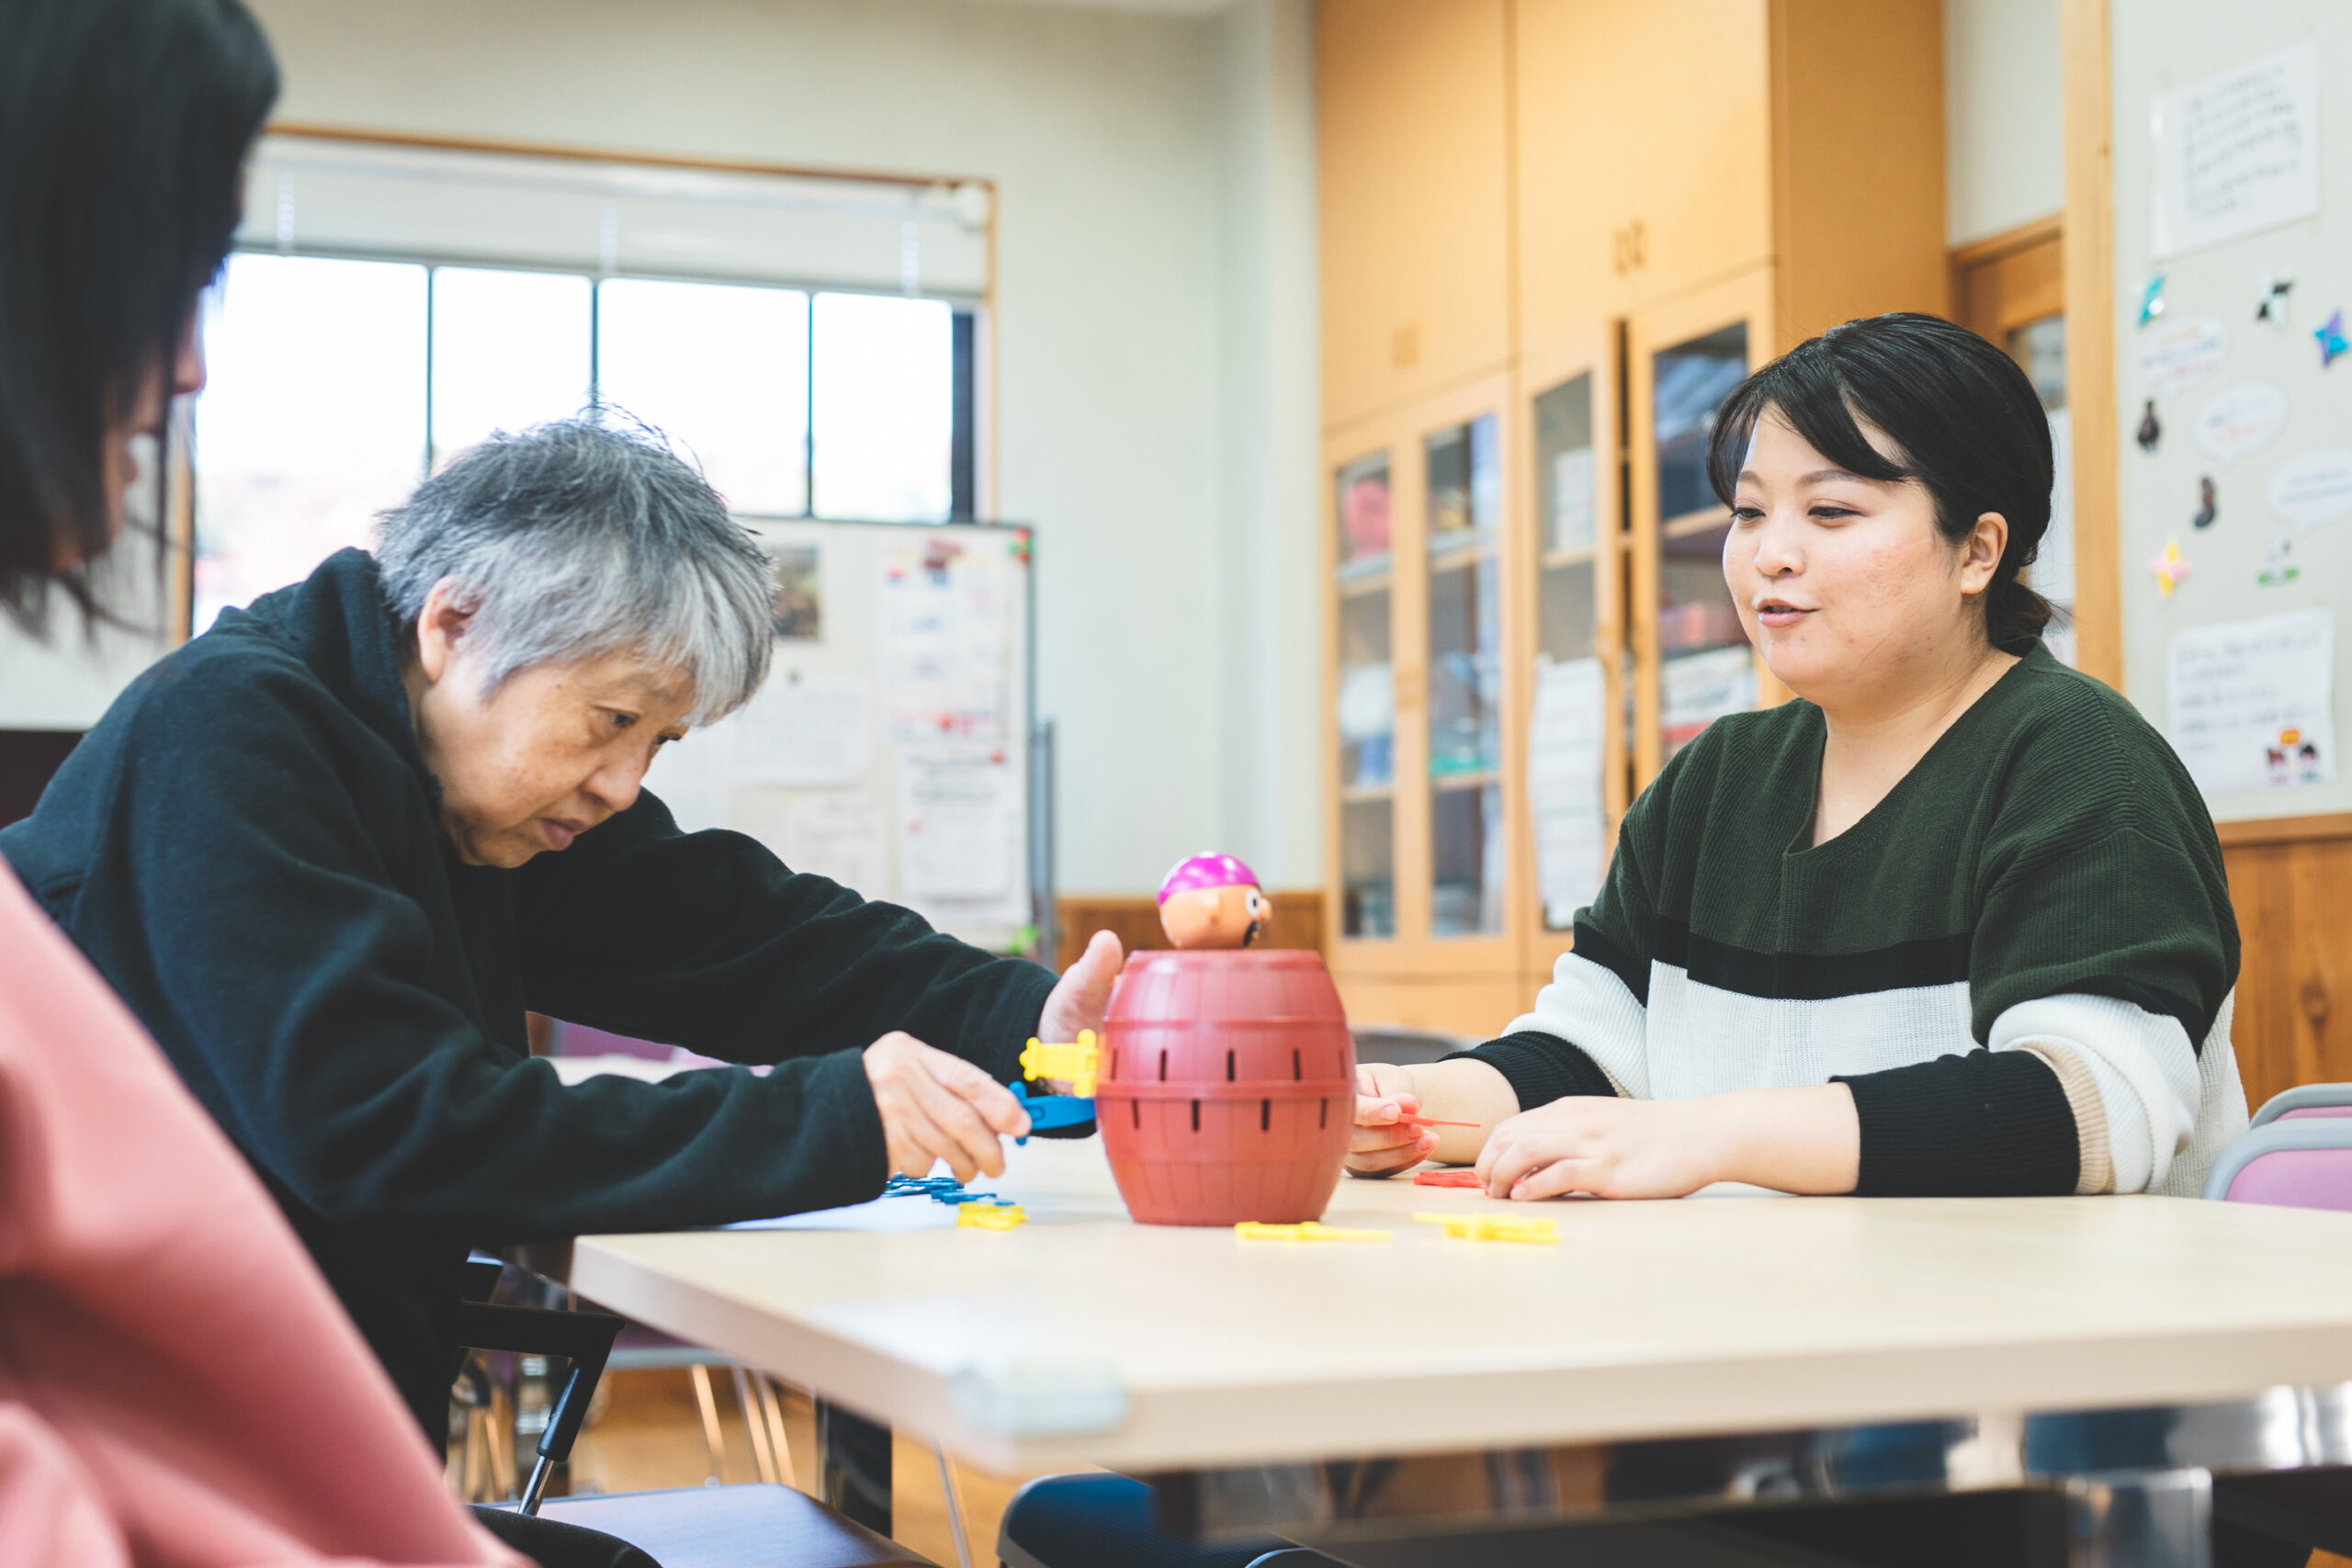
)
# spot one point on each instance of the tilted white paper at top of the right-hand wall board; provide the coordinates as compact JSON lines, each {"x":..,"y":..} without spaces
{"x":2238,"y":152}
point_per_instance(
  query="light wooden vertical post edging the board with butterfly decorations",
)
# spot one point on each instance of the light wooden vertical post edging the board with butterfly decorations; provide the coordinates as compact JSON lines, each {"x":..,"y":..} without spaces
{"x":2090,"y":335}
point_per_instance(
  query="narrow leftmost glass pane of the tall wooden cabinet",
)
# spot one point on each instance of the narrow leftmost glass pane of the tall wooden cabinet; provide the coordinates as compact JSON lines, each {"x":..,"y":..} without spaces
{"x":1368,"y":704}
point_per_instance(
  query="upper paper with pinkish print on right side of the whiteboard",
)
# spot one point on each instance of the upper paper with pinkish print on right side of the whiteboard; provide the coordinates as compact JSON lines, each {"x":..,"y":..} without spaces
{"x":947,"y":629}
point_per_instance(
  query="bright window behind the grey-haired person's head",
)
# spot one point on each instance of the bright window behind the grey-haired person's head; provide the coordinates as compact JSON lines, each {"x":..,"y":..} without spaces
{"x":338,"y":384}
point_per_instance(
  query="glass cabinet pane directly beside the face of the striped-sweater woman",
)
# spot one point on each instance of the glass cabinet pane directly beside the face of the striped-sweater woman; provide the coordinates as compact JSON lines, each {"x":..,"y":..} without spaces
{"x":1706,"y":666}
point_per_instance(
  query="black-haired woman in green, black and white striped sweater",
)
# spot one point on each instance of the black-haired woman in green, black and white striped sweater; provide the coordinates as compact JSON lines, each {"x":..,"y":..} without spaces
{"x":1949,"y":923}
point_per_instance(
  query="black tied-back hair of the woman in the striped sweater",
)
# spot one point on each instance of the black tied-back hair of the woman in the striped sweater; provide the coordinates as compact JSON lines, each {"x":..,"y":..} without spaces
{"x":1965,"y":422}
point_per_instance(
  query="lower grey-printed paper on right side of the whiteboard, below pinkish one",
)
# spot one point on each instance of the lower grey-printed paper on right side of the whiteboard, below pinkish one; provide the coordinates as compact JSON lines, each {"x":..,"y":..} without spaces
{"x":961,"y":838}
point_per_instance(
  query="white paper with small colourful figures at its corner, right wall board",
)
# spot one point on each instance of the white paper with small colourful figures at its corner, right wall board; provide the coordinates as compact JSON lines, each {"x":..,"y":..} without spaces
{"x":2254,"y":702}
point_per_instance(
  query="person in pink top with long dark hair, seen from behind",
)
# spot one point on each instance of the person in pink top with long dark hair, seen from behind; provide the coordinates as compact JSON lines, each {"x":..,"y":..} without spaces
{"x":178,"y":1386}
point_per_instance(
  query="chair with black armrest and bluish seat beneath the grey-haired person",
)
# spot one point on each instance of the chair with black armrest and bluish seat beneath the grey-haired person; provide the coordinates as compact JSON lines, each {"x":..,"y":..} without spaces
{"x":700,"y":1527}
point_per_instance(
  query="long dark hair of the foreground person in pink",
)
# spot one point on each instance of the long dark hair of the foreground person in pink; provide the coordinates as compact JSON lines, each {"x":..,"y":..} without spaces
{"x":126,"y":128}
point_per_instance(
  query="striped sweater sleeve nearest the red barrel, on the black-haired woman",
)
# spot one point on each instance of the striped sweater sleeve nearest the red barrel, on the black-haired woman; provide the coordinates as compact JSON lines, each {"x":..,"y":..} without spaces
{"x":1589,"y":1033}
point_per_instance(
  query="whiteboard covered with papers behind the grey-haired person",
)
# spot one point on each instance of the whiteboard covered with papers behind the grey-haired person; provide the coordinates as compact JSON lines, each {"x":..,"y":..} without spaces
{"x":893,"y":746}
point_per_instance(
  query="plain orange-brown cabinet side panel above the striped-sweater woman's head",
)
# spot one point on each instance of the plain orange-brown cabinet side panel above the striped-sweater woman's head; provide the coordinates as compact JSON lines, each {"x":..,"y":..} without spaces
{"x":1857,"y":149}
